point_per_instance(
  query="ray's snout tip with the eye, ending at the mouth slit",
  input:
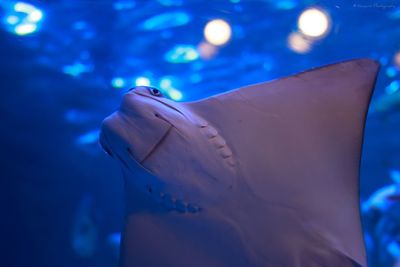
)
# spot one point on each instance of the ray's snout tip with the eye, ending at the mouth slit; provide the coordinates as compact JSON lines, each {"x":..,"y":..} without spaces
{"x":141,"y":124}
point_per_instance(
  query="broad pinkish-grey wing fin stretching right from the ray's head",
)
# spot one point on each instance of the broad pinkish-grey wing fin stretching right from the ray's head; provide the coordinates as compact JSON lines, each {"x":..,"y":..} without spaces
{"x":297,"y":141}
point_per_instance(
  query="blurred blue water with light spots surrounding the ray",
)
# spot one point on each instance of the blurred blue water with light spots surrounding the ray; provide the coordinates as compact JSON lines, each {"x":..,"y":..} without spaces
{"x":66,"y":63}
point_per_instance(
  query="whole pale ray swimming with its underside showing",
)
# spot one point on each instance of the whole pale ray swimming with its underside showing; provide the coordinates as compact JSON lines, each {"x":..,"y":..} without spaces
{"x":265,"y":175}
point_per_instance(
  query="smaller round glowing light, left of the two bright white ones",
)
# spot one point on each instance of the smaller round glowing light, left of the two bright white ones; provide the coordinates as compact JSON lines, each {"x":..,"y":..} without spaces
{"x":217,"y":32}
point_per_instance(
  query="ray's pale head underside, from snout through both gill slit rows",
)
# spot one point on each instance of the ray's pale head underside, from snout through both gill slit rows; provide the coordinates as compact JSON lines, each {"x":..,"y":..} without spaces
{"x":165,"y":149}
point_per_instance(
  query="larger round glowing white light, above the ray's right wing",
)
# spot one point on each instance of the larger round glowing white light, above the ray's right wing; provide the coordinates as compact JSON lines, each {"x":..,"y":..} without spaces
{"x":314,"y":22}
